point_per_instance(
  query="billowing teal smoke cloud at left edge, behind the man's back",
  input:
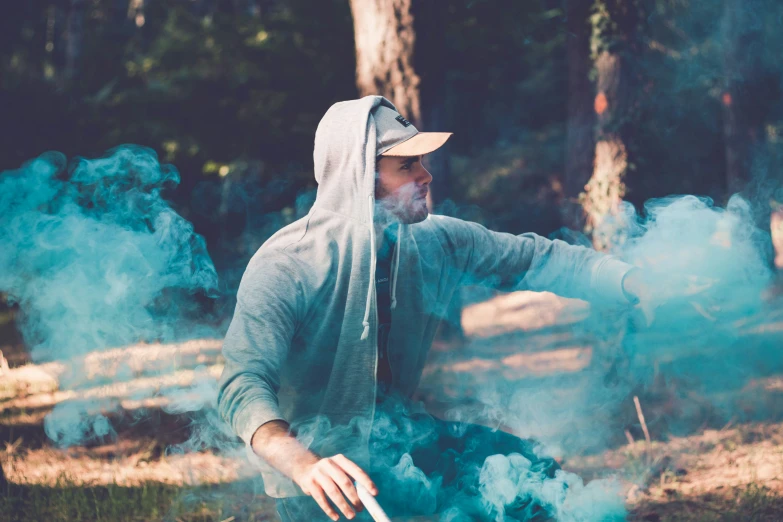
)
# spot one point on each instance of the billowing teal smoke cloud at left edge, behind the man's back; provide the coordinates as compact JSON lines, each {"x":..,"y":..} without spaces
{"x":96,"y":258}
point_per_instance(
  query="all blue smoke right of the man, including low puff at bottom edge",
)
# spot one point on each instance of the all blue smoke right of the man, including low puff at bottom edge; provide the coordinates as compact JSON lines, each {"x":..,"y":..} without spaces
{"x":694,"y":365}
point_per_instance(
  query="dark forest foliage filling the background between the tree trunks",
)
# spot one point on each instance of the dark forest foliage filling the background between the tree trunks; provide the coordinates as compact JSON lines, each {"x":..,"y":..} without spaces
{"x":233,"y":98}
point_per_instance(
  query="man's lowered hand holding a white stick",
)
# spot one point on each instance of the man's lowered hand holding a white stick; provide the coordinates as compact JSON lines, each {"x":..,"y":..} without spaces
{"x":333,"y":477}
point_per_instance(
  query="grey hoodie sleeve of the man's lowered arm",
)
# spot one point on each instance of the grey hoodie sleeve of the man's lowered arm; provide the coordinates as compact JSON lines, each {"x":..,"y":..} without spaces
{"x":257,"y":345}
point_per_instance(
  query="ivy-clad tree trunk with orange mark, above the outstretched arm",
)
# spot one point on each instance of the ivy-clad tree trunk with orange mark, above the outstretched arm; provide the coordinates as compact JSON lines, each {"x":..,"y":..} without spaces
{"x":617,"y":48}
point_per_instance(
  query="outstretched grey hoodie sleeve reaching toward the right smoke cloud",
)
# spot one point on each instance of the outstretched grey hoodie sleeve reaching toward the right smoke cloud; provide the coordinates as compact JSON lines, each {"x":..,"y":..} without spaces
{"x":531,"y":262}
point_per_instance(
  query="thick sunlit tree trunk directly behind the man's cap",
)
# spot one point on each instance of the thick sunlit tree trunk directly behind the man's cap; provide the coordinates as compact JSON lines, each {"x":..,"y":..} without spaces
{"x":385,"y":38}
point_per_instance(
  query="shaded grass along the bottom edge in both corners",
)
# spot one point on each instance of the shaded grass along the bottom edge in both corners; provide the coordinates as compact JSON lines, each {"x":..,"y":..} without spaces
{"x":155,"y":501}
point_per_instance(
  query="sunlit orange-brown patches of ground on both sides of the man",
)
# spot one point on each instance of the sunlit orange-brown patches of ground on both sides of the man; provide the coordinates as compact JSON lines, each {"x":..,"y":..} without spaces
{"x":135,"y":381}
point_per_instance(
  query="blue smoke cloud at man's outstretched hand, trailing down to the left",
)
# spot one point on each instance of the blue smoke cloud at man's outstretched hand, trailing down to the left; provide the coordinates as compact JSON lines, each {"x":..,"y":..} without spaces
{"x":709,"y":276}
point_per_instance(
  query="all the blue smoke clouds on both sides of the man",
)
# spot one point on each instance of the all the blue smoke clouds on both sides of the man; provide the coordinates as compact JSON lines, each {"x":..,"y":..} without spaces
{"x":96,"y":258}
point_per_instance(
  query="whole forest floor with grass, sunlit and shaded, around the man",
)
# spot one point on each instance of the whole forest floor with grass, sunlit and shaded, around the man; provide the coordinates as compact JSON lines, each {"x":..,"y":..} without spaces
{"x":727,"y":473}
